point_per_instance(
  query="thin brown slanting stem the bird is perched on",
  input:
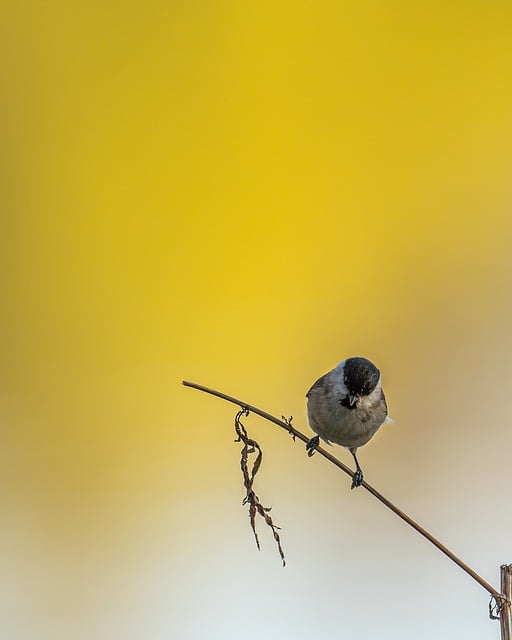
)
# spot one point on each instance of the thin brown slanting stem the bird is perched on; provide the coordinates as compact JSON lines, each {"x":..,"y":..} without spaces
{"x":285,"y":424}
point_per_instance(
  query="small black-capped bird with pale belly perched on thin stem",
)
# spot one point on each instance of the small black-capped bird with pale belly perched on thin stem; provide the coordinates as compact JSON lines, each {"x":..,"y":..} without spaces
{"x":347,"y":406}
